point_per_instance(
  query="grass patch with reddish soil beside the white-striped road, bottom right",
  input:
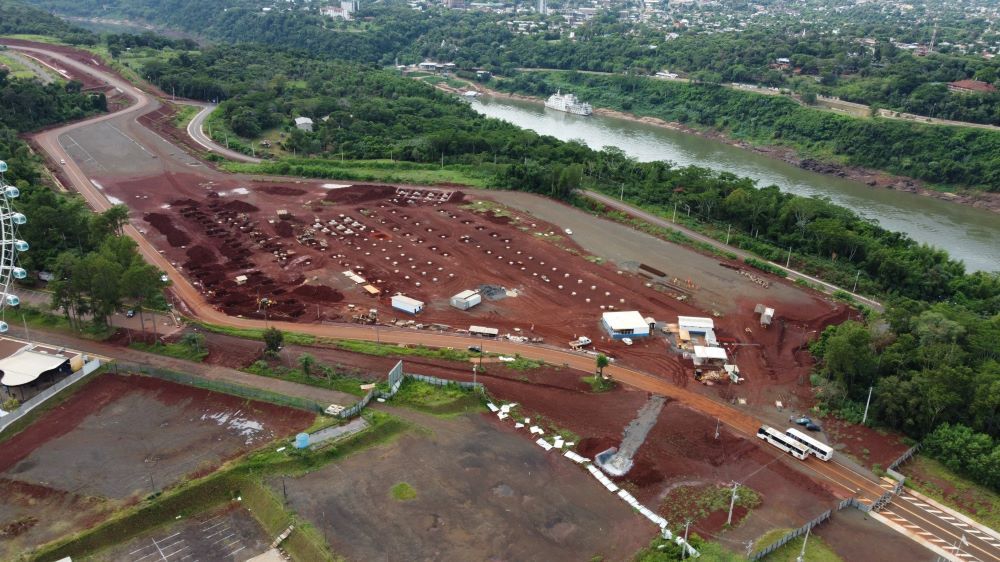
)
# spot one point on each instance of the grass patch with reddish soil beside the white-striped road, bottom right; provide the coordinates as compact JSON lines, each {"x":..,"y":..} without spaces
{"x":931,"y":478}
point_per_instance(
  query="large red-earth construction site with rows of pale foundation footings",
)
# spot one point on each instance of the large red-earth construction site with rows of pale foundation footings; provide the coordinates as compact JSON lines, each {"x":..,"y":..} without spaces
{"x":322,"y":252}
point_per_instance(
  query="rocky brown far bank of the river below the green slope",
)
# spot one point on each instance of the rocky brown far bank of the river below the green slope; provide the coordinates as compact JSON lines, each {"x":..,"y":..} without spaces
{"x":873,"y":178}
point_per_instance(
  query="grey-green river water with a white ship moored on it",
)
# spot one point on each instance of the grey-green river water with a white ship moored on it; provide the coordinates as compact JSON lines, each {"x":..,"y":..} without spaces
{"x":969,"y":234}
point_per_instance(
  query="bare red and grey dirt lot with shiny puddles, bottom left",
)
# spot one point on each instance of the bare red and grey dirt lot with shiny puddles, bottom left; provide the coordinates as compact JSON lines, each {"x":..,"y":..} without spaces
{"x":118,"y":439}
